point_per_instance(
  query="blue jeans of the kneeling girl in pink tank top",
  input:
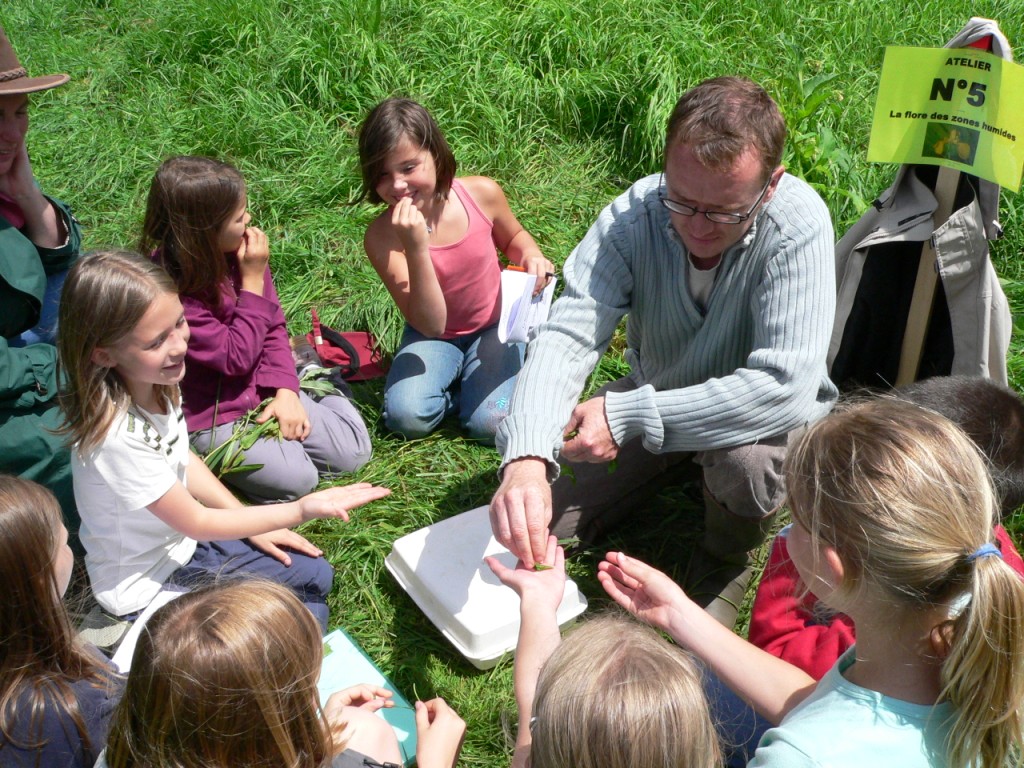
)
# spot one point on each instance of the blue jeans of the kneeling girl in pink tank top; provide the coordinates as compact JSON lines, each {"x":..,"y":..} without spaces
{"x":472,"y":376}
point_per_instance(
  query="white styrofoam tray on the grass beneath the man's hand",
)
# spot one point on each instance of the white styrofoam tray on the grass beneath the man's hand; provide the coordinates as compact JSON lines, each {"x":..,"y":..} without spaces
{"x":443,"y":570}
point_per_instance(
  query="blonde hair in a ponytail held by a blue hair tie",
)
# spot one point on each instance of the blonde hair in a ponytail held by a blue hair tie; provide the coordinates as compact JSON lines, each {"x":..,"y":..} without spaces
{"x":905,"y":498}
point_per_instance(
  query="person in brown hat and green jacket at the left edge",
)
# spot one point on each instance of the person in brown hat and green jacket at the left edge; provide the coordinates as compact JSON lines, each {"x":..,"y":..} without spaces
{"x":39,"y":241}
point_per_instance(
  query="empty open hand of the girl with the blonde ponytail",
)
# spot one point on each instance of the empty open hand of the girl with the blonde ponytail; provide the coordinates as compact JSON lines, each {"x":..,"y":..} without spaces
{"x":646,"y":592}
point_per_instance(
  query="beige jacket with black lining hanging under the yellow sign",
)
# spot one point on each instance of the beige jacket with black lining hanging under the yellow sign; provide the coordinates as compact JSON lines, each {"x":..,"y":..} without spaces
{"x":876,"y":268}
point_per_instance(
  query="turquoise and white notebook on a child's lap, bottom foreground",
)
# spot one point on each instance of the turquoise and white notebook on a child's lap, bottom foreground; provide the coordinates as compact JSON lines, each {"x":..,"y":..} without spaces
{"x":346,"y":665}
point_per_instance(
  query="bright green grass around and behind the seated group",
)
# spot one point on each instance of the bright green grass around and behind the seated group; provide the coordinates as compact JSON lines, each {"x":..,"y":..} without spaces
{"x":563,"y":102}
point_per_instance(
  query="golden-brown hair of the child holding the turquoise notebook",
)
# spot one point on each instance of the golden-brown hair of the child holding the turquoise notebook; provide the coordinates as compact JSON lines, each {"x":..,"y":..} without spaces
{"x":225,"y":676}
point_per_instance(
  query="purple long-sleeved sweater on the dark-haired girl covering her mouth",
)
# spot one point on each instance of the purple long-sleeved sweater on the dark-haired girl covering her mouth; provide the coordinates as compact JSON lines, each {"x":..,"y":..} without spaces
{"x":240,"y":349}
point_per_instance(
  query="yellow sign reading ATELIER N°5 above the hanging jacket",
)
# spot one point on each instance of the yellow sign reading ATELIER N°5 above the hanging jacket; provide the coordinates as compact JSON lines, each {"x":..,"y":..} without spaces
{"x":961,"y":108}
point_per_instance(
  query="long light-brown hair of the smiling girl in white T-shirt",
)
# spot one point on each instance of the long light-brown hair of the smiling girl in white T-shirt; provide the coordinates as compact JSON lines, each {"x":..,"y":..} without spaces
{"x":105,"y":296}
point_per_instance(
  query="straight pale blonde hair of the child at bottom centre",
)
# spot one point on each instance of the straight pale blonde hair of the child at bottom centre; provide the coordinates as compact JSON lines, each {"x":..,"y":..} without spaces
{"x":616,"y":695}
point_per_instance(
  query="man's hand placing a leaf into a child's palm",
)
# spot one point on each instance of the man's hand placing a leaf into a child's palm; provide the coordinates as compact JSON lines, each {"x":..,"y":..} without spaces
{"x":521,"y":510}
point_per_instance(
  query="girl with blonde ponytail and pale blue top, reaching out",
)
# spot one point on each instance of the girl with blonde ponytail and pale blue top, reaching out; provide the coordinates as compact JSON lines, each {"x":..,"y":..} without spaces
{"x":892,"y":525}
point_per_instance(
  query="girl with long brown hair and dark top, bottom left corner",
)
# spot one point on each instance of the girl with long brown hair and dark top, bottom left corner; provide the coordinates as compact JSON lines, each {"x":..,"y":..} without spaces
{"x":57,"y":694}
